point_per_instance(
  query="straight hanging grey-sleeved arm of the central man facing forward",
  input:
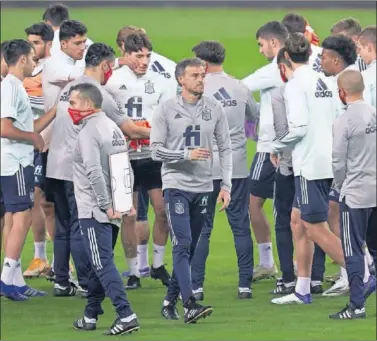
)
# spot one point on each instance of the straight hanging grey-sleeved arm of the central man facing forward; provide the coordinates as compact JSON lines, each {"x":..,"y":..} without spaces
{"x":222,"y":138}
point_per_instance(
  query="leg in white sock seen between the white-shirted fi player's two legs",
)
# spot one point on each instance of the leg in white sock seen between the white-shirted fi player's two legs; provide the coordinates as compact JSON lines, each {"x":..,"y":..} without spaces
{"x":142,"y":231}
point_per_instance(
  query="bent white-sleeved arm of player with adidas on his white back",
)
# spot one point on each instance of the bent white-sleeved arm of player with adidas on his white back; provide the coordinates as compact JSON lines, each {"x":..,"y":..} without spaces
{"x":297,"y":116}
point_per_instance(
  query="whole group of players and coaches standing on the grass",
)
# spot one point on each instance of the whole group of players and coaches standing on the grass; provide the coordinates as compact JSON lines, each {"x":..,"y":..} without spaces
{"x":68,"y":103}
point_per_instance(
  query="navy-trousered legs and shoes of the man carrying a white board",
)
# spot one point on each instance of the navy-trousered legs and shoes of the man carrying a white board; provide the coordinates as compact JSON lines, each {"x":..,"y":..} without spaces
{"x":98,"y":242}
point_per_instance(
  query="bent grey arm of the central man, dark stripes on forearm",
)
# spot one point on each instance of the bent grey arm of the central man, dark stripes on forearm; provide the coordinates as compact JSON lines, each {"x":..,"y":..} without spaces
{"x":158,"y":140}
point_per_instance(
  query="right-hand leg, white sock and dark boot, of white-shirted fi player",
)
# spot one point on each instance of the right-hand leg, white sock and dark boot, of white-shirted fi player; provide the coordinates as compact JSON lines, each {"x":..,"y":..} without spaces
{"x":153,"y":183}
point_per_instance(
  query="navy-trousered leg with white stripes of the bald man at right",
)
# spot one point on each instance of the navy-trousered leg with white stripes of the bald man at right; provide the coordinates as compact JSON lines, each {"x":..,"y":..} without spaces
{"x":354,"y":226}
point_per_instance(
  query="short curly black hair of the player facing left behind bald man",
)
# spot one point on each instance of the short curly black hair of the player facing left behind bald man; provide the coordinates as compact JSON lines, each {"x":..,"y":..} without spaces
{"x":343,"y":46}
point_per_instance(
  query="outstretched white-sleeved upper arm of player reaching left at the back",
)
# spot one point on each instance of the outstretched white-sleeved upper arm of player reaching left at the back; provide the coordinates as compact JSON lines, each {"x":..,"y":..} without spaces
{"x":264,"y":78}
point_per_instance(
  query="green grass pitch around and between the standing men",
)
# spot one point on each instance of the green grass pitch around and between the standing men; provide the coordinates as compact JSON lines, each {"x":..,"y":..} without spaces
{"x":173,"y":32}
